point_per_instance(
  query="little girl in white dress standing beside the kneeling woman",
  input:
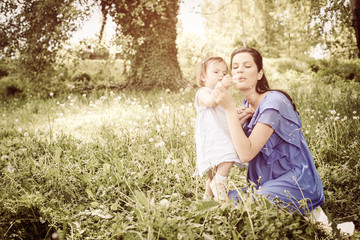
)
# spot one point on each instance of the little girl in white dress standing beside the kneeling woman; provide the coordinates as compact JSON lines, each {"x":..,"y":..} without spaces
{"x":214,"y":148}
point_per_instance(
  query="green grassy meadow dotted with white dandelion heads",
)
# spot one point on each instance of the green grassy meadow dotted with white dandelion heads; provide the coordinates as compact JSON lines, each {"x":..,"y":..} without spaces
{"x":119,"y":165}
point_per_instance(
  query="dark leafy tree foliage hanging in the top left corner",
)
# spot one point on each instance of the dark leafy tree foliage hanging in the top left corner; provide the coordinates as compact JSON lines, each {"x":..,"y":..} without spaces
{"x":33,"y":32}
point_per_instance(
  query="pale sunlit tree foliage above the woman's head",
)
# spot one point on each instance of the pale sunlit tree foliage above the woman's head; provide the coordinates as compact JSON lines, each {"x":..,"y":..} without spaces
{"x":280,"y":27}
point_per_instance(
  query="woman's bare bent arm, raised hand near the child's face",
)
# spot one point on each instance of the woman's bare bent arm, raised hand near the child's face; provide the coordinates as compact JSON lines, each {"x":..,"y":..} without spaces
{"x":246,"y":147}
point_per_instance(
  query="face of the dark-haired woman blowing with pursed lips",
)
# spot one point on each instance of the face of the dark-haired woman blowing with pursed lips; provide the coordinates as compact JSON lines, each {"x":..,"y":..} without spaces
{"x":245,"y":72}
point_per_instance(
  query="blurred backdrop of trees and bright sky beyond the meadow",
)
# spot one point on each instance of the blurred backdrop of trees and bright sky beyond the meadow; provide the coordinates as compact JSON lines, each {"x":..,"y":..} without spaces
{"x":77,"y":45}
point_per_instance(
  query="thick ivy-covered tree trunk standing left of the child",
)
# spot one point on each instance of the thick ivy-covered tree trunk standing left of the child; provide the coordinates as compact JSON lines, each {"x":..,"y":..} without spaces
{"x":147,"y":32}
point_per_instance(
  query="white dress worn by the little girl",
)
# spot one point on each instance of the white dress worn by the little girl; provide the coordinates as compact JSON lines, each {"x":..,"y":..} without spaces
{"x":212,"y":138}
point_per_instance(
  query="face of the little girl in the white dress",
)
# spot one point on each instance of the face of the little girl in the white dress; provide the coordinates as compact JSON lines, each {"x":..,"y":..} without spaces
{"x":215,"y":71}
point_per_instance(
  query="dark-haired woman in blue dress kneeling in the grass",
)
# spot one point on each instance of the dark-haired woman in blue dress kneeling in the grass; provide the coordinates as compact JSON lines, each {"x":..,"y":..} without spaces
{"x":269,"y":136}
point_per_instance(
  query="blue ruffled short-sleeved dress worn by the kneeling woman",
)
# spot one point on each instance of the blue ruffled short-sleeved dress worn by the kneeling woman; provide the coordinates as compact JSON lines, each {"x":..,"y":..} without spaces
{"x":284,"y":165}
